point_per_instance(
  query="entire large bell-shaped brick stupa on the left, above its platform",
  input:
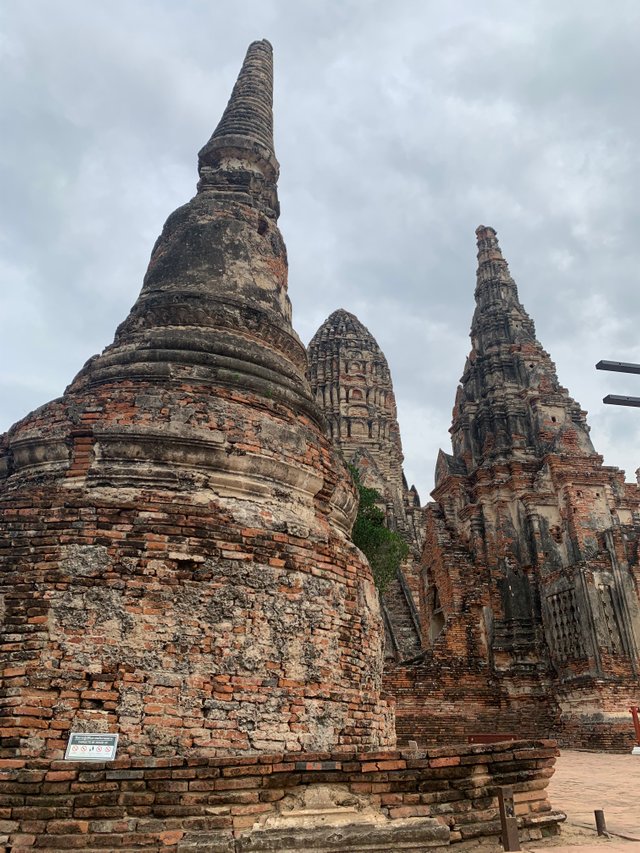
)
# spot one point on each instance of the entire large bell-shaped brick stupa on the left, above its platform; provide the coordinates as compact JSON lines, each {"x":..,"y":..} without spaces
{"x":175,"y":558}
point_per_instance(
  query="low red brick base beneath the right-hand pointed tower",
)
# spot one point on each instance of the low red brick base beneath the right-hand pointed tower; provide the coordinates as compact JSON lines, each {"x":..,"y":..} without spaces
{"x":447,"y":699}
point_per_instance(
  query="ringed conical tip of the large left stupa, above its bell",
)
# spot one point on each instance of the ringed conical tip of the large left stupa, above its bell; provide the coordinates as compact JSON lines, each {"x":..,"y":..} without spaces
{"x":243,"y":140}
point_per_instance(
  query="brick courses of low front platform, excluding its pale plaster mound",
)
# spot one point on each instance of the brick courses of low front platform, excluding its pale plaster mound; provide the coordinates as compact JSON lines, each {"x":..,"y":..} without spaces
{"x":171,"y":803}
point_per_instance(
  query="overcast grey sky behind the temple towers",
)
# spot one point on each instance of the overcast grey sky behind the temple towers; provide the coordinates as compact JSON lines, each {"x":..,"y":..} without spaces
{"x":400,"y":127}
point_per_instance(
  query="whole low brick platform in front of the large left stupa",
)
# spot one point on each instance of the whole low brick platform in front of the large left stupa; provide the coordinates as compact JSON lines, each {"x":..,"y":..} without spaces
{"x":395,"y":800}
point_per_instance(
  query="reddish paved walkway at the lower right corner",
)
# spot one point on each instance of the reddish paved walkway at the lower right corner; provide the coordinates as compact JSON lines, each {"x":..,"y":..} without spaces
{"x":585,"y":781}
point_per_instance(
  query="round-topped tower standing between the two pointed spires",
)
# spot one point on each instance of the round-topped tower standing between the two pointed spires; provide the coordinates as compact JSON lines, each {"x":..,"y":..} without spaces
{"x":351,"y":381}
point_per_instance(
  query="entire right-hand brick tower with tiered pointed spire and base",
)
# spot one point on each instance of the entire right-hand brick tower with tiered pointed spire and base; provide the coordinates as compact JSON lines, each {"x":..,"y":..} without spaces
{"x":530,"y":588}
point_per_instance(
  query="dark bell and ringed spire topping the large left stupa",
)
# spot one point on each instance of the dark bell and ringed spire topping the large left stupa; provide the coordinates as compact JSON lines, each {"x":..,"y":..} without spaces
{"x":214,"y":300}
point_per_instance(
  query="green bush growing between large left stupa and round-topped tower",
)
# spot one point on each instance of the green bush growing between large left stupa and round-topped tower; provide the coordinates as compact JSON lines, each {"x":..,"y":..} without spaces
{"x":384,"y":549}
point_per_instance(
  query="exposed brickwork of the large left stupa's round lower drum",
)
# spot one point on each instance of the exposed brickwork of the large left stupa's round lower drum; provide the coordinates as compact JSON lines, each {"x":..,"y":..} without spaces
{"x":176,"y":617}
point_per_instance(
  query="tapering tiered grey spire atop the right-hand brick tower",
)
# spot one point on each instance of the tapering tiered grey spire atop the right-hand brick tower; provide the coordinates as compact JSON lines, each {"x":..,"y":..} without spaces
{"x":509,"y":382}
